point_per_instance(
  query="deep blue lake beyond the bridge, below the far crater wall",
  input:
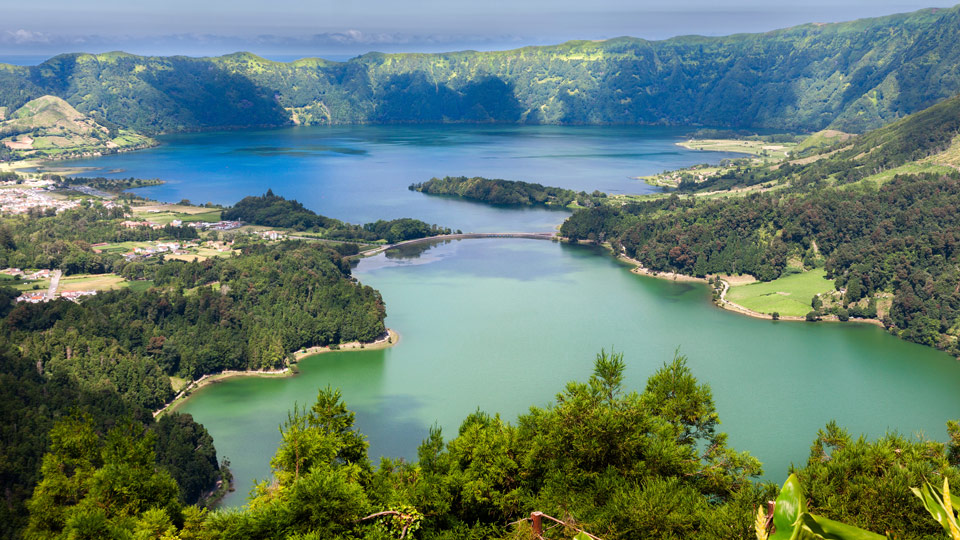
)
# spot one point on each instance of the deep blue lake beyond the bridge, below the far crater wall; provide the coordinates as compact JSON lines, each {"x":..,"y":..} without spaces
{"x":361,"y":174}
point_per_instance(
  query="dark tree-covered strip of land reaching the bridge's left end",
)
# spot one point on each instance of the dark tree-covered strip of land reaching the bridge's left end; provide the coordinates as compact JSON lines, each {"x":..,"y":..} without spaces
{"x":275,"y":211}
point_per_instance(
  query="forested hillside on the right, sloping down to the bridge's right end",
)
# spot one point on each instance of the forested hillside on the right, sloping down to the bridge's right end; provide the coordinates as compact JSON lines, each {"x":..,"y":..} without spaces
{"x":880,"y":212}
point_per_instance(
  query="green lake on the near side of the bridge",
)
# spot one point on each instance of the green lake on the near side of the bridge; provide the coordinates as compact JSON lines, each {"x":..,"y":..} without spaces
{"x":501,"y":325}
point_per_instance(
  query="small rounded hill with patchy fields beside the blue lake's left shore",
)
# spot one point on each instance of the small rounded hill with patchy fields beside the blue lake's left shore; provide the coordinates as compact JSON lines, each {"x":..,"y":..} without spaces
{"x":49,"y":126}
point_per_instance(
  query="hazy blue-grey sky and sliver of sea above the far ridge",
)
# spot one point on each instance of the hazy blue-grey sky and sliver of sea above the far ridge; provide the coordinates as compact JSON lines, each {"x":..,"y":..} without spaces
{"x":340,"y":29}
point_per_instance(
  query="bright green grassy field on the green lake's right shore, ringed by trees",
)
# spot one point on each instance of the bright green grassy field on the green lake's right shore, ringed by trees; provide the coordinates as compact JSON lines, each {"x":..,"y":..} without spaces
{"x":789,"y":296}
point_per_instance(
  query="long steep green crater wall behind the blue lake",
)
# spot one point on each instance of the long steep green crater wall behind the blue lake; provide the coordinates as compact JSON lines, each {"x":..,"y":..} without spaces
{"x":852,"y":76}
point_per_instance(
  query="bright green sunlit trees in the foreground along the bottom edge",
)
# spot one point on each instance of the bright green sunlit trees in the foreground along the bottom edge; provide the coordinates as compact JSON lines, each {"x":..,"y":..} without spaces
{"x":619,"y":464}
